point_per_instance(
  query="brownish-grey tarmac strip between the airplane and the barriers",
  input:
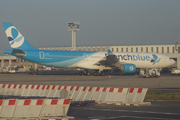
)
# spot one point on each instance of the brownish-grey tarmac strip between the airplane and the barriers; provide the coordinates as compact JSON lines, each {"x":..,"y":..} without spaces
{"x":165,"y":81}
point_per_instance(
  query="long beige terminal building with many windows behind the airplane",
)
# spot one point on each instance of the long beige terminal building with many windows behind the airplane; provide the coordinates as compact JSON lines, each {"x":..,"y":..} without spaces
{"x":171,"y":50}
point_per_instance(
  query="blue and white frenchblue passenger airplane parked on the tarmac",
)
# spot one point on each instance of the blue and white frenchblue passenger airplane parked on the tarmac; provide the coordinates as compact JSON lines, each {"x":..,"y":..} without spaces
{"x":127,"y":62}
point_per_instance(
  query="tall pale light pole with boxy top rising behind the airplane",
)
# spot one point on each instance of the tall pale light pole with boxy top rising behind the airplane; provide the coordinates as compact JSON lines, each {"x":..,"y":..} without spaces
{"x":73,"y":26}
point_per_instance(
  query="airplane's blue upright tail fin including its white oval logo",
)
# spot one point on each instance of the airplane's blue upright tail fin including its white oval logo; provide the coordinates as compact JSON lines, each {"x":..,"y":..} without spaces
{"x":16,"y":40}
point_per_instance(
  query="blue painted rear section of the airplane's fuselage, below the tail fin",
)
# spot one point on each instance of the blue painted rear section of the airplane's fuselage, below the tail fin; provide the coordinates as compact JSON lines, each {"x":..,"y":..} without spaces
{"x":56,"y":58}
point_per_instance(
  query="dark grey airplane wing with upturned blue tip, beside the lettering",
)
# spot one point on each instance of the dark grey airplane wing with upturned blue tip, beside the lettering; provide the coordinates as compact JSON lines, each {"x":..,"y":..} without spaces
{"x":110,"y":60}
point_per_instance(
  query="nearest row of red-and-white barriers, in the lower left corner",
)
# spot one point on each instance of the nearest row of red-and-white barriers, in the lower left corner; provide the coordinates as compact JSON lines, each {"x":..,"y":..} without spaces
{"x":22,"y":108}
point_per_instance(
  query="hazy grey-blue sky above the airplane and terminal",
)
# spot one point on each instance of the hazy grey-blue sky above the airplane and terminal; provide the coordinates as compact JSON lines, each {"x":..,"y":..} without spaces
{"x":102,"y":22}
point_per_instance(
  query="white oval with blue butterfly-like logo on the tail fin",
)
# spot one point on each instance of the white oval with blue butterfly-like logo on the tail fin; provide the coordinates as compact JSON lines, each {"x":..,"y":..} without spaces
{"x":14,"y":36}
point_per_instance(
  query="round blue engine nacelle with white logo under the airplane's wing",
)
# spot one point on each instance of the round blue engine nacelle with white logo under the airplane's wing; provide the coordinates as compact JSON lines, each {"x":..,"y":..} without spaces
{"x":128,"y":68}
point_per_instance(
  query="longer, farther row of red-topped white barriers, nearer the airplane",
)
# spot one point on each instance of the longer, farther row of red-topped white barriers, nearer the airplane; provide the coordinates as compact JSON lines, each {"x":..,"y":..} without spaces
{"x":104,"y":95}
